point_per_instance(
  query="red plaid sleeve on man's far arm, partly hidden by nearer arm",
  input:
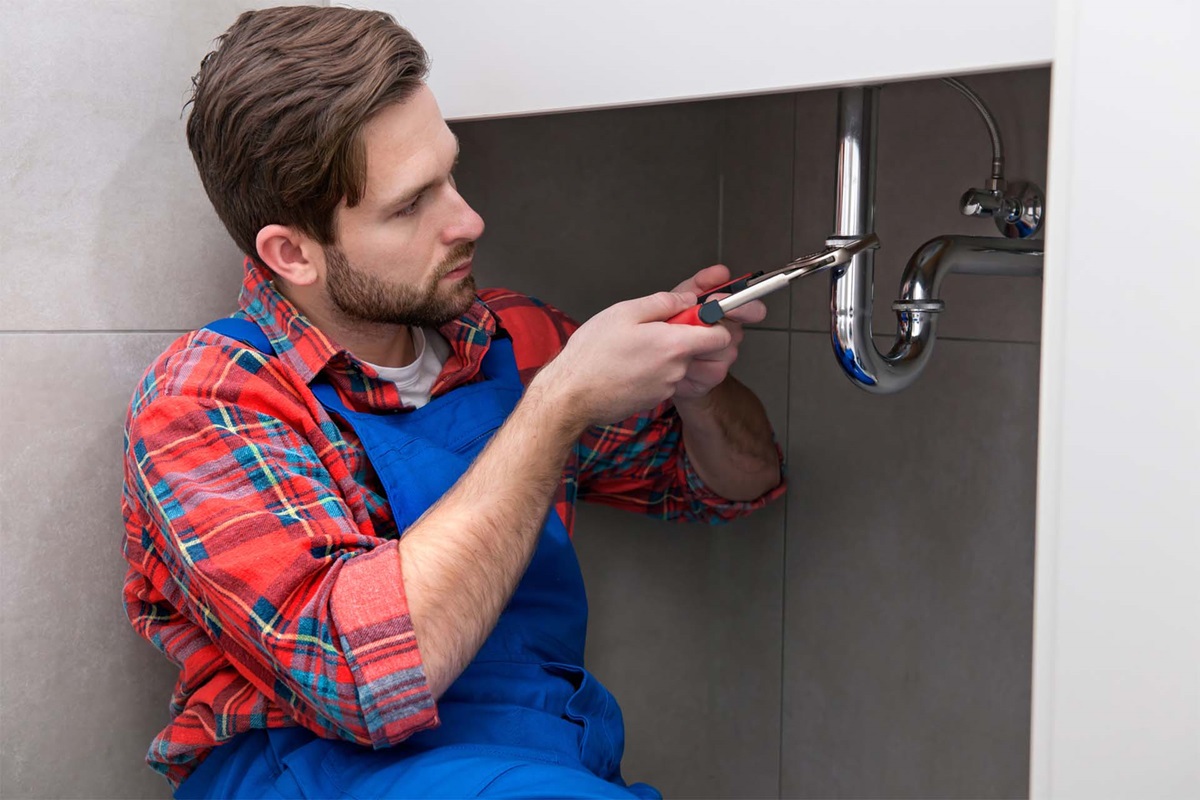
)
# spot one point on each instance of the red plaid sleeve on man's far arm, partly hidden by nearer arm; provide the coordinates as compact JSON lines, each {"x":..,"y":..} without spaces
{"x":640,"y":465}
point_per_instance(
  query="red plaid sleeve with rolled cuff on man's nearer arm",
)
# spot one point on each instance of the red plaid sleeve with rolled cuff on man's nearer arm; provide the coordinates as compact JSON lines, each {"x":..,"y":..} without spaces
{"x":259,"y":549}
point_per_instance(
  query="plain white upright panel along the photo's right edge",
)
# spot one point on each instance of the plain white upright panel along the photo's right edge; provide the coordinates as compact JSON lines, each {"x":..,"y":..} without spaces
{"x":1118,"y":646}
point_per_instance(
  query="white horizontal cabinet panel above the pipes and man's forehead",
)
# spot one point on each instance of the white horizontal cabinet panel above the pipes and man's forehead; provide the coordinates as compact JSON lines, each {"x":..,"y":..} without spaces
{"x":524,"y":57}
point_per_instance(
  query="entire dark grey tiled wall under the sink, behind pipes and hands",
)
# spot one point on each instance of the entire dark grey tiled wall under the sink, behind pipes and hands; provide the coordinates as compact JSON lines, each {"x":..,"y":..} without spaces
{"x":871,"y":636}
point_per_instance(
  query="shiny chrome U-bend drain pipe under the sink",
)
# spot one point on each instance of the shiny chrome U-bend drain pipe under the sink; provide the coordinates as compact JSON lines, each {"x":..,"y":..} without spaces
{"x":853,"y":286}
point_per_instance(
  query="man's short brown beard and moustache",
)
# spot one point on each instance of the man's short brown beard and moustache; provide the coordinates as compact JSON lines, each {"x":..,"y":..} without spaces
{"x":365,"y":298}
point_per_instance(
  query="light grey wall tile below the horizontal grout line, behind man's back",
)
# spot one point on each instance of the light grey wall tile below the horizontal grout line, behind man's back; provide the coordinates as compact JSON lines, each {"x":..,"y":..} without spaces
{"x":82,"y":694}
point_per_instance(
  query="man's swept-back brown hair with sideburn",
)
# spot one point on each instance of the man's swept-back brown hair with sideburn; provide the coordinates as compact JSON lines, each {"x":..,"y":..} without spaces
{"x":279,"y":110}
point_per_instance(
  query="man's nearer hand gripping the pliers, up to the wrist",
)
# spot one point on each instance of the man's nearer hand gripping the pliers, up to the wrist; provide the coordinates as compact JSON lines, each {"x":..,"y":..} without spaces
{"x":627,"y":359}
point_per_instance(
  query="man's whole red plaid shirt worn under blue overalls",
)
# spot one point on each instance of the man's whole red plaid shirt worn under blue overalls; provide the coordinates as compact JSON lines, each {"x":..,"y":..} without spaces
{"x":263,"y":554}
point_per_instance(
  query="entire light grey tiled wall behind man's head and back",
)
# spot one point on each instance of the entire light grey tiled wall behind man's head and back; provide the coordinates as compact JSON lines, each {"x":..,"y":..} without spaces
{"x":110,"y":251}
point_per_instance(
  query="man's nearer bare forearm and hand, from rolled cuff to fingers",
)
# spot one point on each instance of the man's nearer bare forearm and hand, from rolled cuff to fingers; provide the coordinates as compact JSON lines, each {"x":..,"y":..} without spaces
{"x":463,"y":561}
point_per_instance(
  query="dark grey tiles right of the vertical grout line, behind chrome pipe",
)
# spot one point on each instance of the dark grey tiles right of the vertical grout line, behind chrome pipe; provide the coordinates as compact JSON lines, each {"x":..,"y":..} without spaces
{"x":910,"y":532}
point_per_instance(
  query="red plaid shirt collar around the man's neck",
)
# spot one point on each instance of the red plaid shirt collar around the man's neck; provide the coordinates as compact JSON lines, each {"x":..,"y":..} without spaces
{"x":308,"y":351}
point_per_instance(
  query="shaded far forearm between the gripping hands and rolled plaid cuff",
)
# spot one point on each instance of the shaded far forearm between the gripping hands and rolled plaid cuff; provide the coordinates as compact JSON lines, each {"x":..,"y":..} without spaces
{"x":729,"y":441}
